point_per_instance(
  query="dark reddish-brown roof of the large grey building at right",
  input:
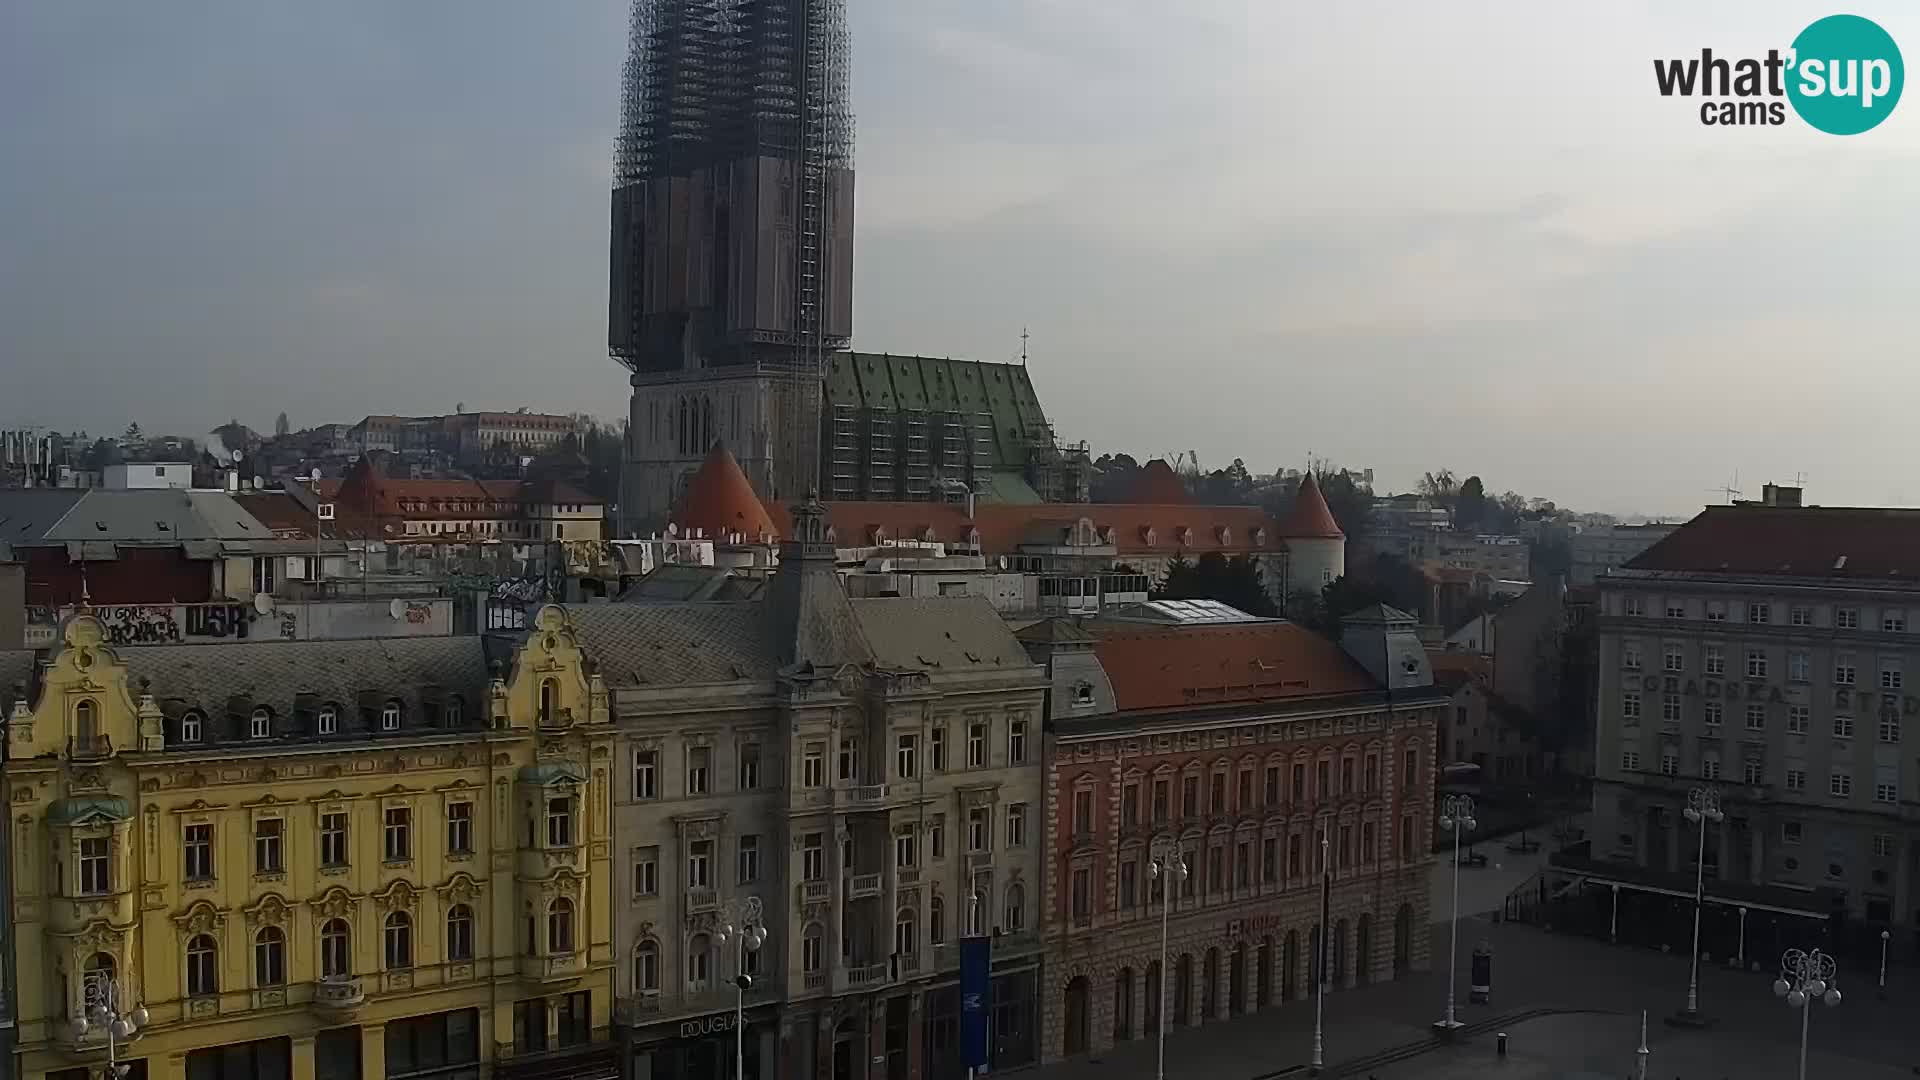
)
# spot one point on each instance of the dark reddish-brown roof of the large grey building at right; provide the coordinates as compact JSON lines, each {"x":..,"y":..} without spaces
{"x":1863,"y":545}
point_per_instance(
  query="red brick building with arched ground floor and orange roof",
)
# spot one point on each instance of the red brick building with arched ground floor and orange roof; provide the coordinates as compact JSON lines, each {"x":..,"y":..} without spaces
{"x":1243,"y":747}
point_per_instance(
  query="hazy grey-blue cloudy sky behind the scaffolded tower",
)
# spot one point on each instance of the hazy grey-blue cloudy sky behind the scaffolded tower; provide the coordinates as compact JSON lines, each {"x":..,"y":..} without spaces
{"x":1387,"y":233}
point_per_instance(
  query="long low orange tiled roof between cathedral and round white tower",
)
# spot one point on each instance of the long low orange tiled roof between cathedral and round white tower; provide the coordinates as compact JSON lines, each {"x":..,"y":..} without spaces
{"x":1134,"y":529}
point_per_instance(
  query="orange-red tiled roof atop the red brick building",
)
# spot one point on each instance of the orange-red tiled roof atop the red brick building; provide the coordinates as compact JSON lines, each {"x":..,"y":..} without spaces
{"x":1155,"y":668}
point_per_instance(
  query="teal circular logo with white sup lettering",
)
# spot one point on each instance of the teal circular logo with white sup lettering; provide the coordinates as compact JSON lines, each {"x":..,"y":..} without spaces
{"x":1848,"y":76}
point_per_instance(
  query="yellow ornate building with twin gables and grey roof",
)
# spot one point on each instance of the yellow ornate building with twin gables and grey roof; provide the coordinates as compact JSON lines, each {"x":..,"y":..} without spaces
{"x":362,"y":860}
